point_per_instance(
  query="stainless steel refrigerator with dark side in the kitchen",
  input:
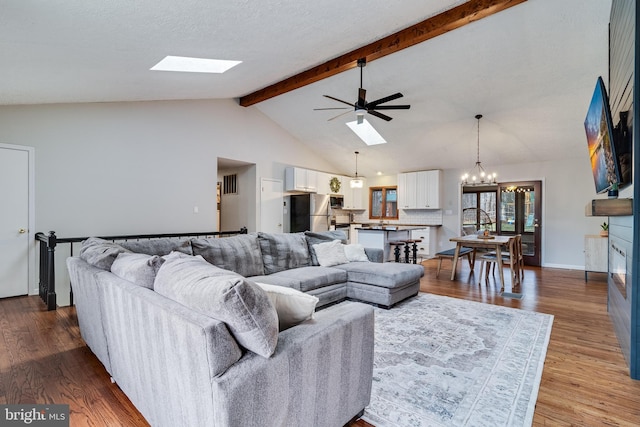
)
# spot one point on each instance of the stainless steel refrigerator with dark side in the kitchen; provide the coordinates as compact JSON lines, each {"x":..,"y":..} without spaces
{"x":310,"y":212}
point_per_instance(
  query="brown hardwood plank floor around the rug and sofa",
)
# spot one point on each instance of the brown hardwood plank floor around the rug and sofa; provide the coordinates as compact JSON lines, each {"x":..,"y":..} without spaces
{"x":585,"y":381}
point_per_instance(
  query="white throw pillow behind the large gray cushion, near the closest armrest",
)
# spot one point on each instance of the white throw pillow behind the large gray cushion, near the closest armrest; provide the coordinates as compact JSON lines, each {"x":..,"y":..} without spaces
{"x":291,"y":305}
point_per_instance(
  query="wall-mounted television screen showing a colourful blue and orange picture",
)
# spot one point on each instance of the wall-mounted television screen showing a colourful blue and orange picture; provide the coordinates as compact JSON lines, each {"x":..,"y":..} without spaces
{"x":599,"y":128}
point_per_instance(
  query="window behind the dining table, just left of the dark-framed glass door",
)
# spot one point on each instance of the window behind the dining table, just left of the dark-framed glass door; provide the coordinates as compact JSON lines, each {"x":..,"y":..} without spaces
{"x":479,"y":207}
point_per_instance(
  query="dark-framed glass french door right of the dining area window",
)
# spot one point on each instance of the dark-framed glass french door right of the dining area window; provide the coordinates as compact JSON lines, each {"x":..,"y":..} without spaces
{"x":520,"y":212}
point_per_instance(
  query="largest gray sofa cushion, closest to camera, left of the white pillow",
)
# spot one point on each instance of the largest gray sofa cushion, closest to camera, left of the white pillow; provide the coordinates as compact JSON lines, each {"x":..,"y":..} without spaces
{"x":224,"y":295}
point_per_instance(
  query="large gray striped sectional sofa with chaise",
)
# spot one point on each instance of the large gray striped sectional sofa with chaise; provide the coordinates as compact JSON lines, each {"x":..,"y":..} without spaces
{"x":182,"y":366}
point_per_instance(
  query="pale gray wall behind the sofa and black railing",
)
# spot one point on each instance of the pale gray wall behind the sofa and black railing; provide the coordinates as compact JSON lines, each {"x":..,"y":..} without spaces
{"x":137,"y":168}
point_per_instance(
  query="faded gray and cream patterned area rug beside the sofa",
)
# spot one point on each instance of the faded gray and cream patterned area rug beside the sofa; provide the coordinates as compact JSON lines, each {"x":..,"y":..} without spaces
{"x":442,"y":361}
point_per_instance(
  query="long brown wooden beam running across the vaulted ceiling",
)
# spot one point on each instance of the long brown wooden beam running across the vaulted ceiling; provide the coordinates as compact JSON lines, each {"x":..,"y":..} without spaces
{"x":449,"y":20}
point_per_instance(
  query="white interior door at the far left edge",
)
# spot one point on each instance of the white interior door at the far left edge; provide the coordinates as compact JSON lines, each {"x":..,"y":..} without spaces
{"x":14,"y":222}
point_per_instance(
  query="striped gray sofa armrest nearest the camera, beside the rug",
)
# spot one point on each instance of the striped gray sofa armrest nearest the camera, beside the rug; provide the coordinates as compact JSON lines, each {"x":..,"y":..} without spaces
{"x":320,"y":374}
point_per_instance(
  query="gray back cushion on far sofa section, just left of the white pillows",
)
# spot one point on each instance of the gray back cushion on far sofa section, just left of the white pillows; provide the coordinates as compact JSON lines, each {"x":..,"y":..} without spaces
{"x":283,"y":251}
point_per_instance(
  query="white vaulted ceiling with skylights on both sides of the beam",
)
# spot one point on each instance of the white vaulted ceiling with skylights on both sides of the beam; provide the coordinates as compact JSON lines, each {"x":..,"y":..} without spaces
{"x":529,"y":69}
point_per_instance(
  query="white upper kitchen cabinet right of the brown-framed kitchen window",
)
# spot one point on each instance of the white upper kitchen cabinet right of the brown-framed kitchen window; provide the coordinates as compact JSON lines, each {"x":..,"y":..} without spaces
{"x":420,"y":190}
